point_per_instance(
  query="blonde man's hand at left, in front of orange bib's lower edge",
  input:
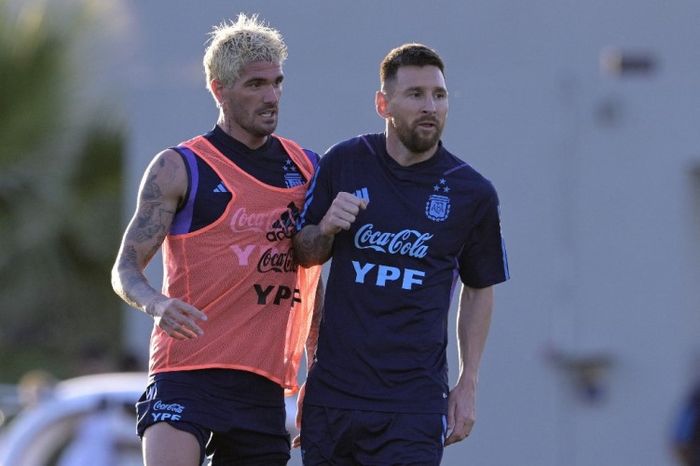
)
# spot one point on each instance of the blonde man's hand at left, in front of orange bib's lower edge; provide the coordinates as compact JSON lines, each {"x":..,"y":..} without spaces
{"x":176,"y":317}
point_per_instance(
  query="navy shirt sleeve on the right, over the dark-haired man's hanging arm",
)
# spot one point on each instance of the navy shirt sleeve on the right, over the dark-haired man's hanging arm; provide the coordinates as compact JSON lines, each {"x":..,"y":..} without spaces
{"x":483,"y":261}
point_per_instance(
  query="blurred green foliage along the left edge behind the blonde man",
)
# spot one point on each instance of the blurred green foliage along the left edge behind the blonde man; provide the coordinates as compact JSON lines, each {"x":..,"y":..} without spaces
{"x":60,"y":205}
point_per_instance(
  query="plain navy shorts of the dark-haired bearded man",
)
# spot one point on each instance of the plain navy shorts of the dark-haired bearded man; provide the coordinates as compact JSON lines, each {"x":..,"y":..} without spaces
{"x":340,"y":437}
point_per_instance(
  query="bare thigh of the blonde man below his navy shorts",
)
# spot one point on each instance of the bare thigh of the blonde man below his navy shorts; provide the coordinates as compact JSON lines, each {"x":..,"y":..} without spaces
{"x":164,"y":445}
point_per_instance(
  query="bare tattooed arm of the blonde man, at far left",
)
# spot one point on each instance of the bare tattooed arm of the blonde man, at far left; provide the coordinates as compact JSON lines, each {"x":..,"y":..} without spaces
{"x":162,"y":189}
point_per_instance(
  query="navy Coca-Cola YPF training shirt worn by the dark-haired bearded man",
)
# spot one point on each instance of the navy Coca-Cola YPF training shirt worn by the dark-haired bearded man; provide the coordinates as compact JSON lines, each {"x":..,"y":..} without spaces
{"x":383,"y":336}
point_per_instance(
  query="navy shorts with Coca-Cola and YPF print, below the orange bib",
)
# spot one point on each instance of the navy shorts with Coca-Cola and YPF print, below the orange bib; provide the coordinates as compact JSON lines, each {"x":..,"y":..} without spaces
{"x":237,"y":417}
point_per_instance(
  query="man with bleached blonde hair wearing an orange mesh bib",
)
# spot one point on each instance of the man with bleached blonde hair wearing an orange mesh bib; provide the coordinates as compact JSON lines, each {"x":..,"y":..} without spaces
{"x":235,"y":311}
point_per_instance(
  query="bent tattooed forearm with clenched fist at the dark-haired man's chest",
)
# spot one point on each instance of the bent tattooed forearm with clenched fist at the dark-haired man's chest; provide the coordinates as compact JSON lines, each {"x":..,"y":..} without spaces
{"x":313,"y":244}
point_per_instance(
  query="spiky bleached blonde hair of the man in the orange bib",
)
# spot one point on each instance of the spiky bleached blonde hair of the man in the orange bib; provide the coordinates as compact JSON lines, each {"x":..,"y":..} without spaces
{"x":236,"y":44}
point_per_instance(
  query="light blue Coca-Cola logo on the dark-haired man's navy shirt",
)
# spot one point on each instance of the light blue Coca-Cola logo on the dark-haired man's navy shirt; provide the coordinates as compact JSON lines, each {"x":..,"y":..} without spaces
{"x":405,"y":242}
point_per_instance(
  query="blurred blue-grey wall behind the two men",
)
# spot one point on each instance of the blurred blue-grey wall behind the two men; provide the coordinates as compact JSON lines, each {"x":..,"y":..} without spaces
{"x":583,"y":114}
